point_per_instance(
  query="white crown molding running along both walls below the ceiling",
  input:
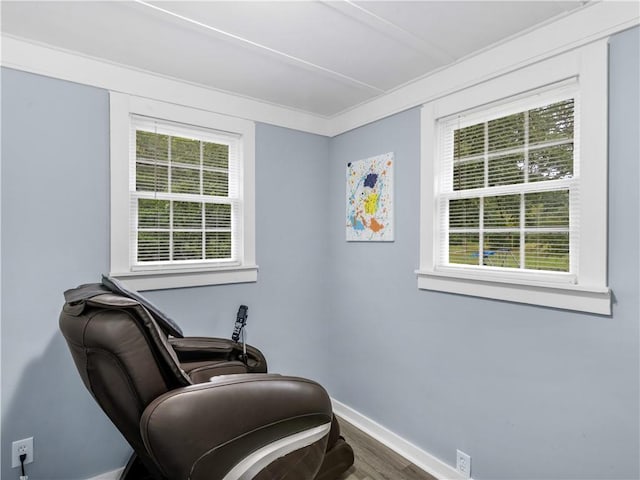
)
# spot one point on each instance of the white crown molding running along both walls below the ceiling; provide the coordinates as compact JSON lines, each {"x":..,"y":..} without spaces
{"x":591,"y":23}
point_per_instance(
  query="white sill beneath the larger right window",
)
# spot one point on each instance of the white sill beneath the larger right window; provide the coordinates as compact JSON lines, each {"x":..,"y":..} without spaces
{"x":564,"y":296}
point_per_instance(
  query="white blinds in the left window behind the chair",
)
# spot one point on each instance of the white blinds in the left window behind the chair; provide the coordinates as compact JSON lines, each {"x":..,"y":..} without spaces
{"x":185,"y":195}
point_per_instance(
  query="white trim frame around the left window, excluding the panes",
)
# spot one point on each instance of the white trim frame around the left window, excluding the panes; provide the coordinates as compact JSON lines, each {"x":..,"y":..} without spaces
{"x":122,"y":106}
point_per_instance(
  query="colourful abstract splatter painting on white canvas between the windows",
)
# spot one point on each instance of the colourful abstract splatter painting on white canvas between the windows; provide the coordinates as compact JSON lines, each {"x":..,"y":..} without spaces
{"x":370,"y":199}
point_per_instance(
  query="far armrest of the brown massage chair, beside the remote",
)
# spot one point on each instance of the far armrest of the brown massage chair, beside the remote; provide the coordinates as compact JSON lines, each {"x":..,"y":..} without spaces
{"x":193,"y":349}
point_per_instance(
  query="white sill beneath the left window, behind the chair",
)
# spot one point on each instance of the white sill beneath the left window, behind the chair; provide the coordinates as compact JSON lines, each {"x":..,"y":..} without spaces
{"x":179,"y":278}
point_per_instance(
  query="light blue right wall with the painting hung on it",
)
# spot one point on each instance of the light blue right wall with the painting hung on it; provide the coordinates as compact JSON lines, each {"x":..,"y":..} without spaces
{"x":528,"y":392}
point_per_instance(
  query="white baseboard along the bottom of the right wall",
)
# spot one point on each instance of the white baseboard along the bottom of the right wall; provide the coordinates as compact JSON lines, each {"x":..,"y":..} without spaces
{"x":427,"y":462}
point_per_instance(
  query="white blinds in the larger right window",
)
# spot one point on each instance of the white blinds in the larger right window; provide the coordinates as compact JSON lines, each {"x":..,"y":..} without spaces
{"x":508,"y":196}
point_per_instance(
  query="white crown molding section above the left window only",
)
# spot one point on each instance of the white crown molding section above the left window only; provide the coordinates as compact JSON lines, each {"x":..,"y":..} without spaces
{"x":21,"y":54}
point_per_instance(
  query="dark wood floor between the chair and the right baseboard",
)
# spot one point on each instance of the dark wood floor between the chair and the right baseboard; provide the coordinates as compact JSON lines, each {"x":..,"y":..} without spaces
{"x":374,"y":461}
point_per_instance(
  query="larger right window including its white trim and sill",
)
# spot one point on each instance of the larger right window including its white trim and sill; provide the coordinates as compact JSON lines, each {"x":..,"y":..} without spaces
{"x":514,"y":187}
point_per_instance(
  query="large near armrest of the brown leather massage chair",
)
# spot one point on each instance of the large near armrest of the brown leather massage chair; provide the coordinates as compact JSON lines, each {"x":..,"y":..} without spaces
{"x":203,"y":431}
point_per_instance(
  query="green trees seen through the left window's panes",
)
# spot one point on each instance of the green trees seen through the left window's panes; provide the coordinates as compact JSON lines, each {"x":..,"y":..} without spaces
{"x":184,"y":211}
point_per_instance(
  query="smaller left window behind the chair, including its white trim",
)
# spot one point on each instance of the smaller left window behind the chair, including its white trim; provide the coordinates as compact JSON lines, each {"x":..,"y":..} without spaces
{"x":182,"y":196}
